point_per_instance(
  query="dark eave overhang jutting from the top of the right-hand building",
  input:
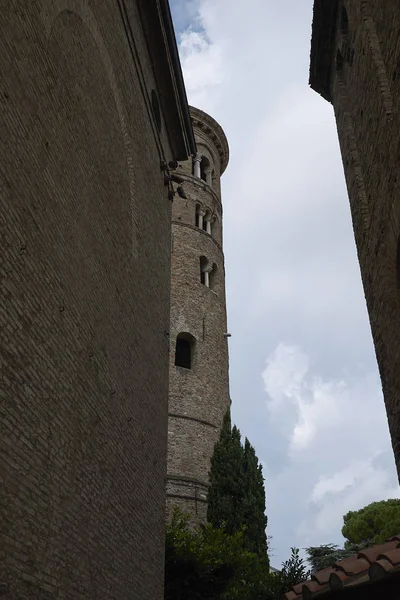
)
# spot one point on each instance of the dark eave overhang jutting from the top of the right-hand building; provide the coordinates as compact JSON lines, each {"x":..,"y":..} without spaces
{"x":322,"y":46}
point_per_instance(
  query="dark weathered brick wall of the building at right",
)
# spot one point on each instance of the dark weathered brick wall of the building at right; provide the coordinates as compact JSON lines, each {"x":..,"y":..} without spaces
{"x":365,"y":92}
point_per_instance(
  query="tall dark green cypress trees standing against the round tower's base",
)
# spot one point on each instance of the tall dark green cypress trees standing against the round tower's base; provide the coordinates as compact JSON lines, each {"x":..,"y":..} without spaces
{"x":236,"y":497}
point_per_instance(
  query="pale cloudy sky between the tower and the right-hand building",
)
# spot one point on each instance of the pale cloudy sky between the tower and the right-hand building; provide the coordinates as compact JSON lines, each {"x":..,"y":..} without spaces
{"x":304,"y":381}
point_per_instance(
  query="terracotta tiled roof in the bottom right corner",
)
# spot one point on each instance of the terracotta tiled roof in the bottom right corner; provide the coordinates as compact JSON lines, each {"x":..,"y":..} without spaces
{"x":370,"y":564}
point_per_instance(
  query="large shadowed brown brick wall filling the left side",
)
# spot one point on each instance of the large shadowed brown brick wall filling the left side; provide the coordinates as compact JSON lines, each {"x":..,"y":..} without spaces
{"x":85,"y":229}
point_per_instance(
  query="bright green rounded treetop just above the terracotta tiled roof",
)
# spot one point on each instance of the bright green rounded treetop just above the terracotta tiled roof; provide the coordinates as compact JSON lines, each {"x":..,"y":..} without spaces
{"x":373,"y":524}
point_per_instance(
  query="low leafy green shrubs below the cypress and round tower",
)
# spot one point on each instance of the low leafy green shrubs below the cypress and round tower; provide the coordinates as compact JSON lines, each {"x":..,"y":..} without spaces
{"x":209,"y":564}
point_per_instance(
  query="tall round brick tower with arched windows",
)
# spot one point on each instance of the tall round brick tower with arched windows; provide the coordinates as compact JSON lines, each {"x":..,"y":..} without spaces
{"x":198,"y":397}
